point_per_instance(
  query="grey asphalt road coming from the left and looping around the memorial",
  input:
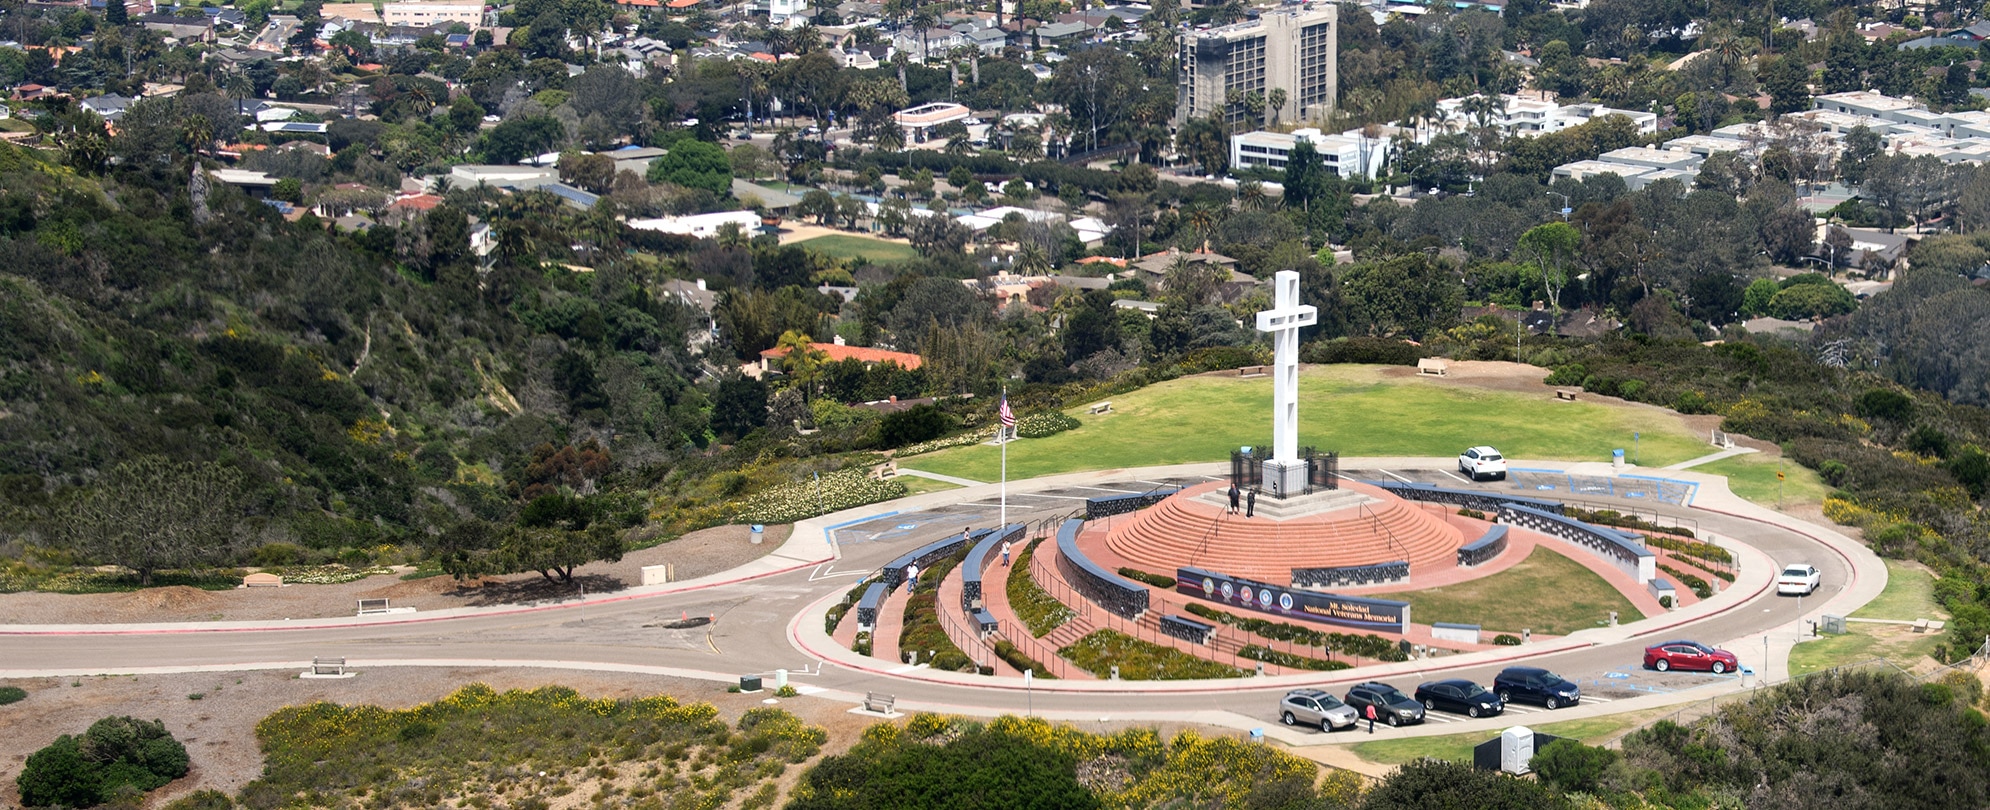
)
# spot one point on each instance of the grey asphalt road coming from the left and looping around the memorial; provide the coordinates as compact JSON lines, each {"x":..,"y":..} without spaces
{"x":751,"y":630}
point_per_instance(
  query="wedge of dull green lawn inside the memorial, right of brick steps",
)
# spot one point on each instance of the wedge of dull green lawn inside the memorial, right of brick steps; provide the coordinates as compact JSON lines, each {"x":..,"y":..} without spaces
{"x":1511,"y":600}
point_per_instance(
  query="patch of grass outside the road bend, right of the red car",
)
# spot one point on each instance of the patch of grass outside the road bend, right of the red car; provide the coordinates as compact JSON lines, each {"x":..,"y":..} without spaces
{"x":1909,"y":596}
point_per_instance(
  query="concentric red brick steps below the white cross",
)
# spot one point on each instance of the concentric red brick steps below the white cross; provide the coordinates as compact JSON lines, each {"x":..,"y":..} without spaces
{"x":1183,"y":532}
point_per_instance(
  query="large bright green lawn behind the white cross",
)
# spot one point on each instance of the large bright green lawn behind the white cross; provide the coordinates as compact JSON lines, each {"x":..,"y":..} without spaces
{"x":1348,"y":409}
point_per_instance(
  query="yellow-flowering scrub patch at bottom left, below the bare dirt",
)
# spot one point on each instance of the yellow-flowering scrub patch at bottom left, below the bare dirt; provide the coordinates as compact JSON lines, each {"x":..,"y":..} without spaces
{"x":481,"y":747}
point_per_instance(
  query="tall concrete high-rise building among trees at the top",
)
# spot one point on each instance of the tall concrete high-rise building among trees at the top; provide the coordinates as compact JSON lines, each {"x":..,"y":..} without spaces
{"x":1289,"y":49}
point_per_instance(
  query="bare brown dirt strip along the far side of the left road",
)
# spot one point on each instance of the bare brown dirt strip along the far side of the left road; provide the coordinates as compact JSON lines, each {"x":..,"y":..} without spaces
{"x":697,"y":554}
